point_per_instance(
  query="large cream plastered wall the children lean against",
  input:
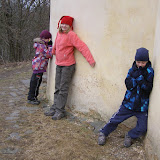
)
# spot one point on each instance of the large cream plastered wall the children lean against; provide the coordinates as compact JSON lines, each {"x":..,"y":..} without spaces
{"x":113,"y":30}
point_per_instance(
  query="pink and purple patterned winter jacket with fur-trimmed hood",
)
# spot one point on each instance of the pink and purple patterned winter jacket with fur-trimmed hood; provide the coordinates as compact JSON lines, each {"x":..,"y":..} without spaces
{"x":40,"y":61}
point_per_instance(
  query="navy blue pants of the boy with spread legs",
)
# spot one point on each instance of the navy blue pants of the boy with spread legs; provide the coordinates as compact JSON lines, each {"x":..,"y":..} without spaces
{"x":123,"y":114}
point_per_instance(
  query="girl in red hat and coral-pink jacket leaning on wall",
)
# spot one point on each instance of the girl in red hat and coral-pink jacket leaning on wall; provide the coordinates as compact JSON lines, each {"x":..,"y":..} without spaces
{"x":65,"y":42}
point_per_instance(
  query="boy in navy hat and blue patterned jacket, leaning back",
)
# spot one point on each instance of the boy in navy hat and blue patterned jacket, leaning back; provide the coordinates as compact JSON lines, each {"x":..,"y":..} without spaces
{"x":139,"y":83}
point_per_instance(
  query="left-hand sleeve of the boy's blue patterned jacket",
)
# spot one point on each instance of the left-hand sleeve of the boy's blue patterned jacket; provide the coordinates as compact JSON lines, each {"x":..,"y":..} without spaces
{"x":130,"y":82}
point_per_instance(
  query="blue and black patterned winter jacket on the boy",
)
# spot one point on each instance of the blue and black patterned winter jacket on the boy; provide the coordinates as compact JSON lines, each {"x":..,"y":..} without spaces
{"x":139,"y":83}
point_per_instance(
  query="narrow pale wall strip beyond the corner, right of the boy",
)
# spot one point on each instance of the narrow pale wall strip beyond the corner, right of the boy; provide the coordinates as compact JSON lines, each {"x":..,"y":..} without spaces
{"x":153,"y":134}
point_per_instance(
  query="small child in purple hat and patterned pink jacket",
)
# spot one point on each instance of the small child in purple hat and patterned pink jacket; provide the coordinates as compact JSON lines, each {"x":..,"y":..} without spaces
{"x":43,"y":47}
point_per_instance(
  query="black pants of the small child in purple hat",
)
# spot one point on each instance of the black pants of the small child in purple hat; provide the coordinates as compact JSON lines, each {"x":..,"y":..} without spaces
{"x":35,"y":83}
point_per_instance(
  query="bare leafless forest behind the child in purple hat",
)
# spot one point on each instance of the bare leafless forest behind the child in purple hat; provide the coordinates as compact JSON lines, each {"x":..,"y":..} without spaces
{"x":20,"y":22}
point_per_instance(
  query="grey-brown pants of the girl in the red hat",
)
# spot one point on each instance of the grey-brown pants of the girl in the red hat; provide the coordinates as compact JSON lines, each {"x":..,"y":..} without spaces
{"x":62,"y":81}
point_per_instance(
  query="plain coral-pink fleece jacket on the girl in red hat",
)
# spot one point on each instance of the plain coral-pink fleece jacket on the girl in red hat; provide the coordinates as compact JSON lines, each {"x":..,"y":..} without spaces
{"x":64,"y":49}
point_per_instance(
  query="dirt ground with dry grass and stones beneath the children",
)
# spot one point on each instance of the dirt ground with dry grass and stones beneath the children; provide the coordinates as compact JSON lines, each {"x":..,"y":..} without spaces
{"x":26,"y":134}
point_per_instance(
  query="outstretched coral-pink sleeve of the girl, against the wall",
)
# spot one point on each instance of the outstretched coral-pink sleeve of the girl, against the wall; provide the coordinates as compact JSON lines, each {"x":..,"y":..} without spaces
{"x":81,"y":46}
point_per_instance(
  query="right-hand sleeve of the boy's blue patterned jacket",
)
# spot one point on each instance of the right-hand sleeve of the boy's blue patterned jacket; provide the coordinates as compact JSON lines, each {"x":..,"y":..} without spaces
{"x":147,"y":83}
